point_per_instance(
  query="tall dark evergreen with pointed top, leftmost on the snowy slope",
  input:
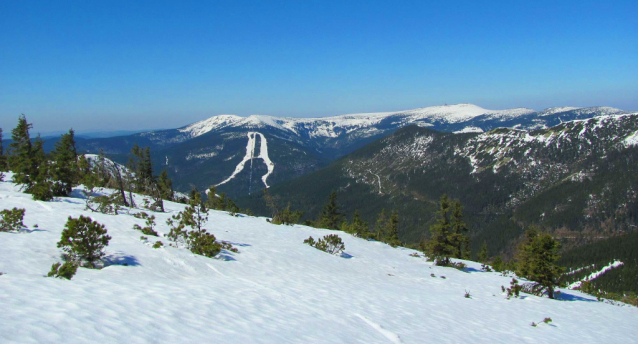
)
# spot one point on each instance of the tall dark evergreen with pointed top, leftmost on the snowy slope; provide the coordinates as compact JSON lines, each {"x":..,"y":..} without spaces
{"x":21,"y":155}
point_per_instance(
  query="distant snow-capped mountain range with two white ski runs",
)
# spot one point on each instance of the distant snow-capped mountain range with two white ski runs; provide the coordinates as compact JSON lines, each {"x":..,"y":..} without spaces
{"x":217,"y":149}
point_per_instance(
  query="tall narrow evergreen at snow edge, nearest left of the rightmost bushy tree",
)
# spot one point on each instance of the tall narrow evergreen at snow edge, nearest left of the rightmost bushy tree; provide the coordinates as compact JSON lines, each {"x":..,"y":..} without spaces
{"x":441,"y":246}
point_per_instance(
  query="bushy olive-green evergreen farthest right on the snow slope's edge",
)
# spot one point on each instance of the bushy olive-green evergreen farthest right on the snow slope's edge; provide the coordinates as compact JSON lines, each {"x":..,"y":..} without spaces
{"x":537,"y":257}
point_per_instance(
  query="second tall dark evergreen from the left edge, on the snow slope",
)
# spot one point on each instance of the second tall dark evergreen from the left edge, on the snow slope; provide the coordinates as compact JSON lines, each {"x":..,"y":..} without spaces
{"x":65,"y":165}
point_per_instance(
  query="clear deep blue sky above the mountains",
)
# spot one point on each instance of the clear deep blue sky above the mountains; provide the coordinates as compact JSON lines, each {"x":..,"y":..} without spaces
{"x":106,"y":65}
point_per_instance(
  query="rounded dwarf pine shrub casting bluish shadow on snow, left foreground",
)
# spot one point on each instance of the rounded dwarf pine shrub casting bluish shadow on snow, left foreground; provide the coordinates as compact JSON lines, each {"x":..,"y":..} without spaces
{"x":84,"y":239}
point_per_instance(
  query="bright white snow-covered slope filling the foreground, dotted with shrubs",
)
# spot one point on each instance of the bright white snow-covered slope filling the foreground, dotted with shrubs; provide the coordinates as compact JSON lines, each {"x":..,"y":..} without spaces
{"x":275,"y":290}
